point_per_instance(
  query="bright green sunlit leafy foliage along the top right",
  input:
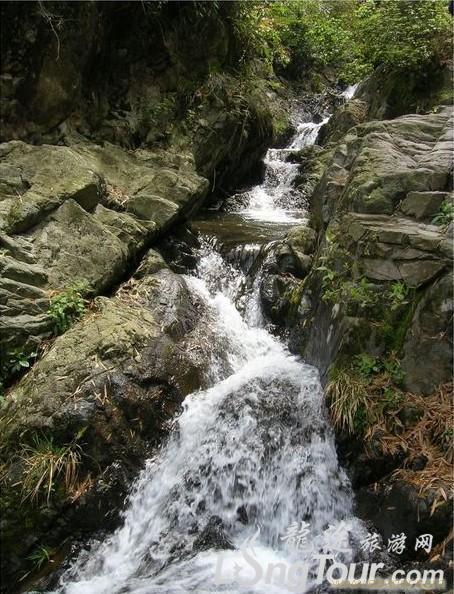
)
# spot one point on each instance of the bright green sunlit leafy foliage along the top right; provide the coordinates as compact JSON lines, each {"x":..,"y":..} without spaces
{"x":353,"y":37}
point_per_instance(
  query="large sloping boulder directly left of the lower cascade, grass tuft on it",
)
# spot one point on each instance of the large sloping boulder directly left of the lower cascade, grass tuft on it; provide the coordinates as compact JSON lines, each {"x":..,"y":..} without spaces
{"x":103,"y":394}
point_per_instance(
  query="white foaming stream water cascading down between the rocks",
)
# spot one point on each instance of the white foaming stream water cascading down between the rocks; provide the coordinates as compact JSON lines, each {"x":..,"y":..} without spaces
{"x":247,"y":493}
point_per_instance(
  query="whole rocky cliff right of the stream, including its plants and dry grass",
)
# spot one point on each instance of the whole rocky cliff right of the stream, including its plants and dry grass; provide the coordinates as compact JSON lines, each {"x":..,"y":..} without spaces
{"x":373,"y":304}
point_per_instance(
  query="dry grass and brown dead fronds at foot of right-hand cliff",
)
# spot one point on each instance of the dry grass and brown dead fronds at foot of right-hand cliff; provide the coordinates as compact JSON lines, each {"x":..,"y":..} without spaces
{"x":395,"y":421}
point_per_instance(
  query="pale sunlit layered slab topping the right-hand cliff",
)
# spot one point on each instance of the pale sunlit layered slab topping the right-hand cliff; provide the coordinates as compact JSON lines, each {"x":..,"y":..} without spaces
{"x":377,"y":164}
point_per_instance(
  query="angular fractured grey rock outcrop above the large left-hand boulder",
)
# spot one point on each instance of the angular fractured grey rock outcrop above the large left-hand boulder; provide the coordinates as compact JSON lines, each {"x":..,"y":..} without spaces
{"x":83,"y":213}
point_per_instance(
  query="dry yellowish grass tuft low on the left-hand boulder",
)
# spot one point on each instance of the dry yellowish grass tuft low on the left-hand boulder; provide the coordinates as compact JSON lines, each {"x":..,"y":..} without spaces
{"x":45,"y":465}
